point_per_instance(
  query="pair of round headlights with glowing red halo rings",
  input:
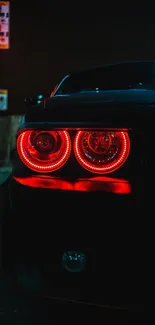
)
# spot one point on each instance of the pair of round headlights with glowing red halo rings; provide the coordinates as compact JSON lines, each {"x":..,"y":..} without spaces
{"x":98,"y":151}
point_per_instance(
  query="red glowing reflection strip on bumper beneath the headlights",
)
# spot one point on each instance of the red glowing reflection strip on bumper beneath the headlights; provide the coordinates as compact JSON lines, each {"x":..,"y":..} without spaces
{"x":105,"y":184}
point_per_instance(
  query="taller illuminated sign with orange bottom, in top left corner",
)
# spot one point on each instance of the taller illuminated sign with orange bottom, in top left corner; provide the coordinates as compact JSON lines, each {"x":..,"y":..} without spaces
{"x":4,"y":24}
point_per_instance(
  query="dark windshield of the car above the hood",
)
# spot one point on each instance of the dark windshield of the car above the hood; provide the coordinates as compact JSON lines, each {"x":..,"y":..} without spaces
{"x":112,"y":77}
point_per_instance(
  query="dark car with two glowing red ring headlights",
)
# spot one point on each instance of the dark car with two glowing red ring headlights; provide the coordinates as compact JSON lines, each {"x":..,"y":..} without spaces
{"x":79,"y":204}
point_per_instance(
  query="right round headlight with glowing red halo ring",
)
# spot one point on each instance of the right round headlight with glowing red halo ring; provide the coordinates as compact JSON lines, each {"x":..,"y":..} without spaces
{"x":101,"y":152}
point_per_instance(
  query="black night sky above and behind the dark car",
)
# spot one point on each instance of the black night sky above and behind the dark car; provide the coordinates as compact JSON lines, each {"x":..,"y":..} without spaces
{"x":51,"y":39}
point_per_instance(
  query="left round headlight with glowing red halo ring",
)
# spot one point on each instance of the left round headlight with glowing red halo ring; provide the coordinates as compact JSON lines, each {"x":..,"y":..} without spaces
{"x":44,"y":151}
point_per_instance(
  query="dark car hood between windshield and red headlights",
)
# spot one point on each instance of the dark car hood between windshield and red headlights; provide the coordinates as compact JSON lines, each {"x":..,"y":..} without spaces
{"x":67,"y":112}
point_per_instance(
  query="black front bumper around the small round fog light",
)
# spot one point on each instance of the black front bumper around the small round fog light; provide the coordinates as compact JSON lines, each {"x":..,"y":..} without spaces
{"x":45,"y":223}
